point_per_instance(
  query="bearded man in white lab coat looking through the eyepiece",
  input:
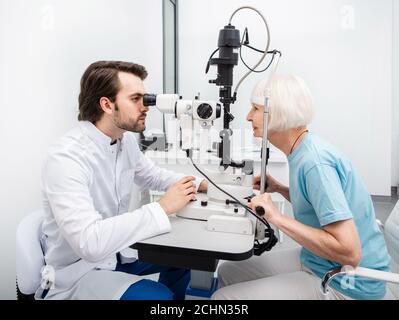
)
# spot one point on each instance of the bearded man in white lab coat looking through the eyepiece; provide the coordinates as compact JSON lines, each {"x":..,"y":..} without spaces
{"x":87,"y":179}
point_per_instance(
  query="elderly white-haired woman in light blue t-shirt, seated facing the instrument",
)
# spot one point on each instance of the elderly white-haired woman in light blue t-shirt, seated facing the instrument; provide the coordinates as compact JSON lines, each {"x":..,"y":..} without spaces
{"x":334,"y":222}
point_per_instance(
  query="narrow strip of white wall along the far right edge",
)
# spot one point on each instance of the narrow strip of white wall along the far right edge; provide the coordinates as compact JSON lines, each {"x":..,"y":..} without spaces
{"x":395,"y":105}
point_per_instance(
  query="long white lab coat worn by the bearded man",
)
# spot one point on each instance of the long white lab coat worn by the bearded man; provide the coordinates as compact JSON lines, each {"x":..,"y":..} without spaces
{"x":87,"y":185}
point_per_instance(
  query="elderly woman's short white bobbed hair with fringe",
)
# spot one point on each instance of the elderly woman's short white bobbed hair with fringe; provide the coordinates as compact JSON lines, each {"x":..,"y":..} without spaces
{"x":291,"y":104}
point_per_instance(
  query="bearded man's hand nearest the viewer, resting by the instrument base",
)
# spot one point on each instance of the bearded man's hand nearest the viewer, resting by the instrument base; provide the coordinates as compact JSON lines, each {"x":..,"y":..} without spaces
{"x":178,"y":195}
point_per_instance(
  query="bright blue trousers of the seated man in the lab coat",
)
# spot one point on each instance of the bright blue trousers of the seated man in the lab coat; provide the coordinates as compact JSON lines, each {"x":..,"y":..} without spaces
{"x":172,"y":283}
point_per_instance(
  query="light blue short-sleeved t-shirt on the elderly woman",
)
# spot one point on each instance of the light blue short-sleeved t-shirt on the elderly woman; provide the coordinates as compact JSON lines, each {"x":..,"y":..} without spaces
{"x":325,"y":188}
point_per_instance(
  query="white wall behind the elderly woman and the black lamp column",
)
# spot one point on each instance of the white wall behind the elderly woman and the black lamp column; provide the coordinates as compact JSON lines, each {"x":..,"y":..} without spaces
{"x":342,"y":48}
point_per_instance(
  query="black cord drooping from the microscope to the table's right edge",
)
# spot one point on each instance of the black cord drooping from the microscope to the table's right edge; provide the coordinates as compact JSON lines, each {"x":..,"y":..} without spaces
{"x":259,"y":248}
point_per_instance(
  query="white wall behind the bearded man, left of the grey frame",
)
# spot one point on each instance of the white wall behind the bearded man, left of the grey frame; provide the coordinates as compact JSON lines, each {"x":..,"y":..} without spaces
{"x":45,"y":47}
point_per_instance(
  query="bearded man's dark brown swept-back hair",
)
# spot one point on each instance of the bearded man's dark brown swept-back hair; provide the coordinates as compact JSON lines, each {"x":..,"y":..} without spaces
{"x":101,"y":80}
